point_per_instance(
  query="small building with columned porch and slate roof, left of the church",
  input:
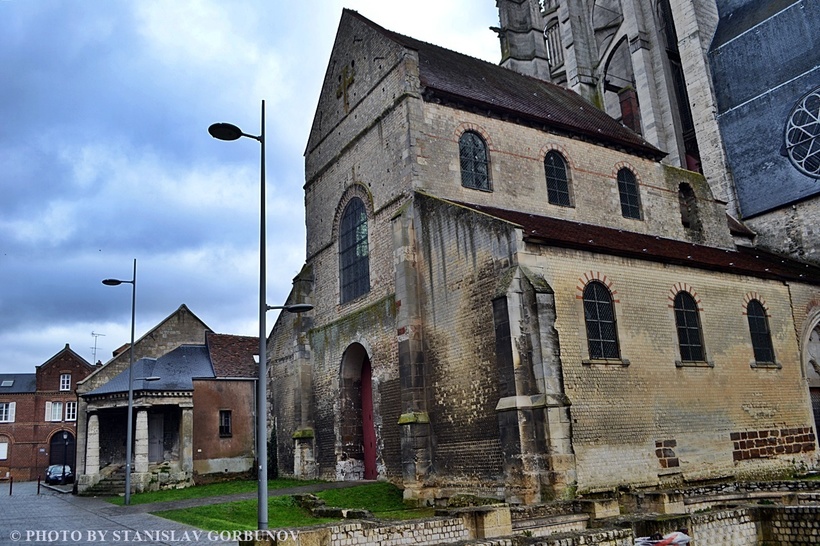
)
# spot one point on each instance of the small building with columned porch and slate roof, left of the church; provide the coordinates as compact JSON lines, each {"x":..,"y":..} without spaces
{"x":195,"y":419}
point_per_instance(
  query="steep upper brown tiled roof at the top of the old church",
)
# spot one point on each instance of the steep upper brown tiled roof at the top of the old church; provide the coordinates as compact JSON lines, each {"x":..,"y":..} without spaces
{"x":452,"y":76}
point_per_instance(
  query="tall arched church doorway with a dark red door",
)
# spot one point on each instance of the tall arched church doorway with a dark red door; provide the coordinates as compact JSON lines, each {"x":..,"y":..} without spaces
{"x":357,"y":459}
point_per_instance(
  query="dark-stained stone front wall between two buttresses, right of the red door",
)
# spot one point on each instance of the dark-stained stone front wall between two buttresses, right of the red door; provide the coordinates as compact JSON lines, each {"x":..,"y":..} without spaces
{"x":461,"y":256}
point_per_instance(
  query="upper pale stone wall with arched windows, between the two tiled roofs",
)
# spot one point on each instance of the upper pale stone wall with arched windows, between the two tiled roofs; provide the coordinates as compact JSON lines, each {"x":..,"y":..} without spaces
{"x":518,"y":180}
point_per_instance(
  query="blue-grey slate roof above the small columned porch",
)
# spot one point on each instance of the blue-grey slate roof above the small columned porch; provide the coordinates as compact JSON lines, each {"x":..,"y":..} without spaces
{"x":176,"y":371}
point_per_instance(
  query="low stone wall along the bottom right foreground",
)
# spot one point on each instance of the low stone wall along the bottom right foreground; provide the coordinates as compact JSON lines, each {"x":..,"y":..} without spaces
{"x":749,"y":525}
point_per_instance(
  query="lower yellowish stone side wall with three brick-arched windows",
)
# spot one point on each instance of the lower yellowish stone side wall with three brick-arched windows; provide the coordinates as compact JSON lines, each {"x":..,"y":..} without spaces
{"x":621,"y":410}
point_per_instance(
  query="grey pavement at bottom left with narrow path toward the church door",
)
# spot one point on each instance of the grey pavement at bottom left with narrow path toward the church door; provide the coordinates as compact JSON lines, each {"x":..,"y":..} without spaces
{"x":57,"y":517}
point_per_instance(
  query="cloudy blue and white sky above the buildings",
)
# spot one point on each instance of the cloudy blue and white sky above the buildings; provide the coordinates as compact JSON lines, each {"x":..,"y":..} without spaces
{"x":105,"y":156}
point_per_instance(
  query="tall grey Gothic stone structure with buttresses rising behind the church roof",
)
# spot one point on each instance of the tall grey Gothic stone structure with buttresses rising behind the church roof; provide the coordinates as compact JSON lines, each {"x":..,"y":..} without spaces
{"x":644,"y":62}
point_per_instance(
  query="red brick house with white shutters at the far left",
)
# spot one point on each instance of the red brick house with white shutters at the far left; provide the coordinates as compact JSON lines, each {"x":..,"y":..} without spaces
{"x":38,"y":416}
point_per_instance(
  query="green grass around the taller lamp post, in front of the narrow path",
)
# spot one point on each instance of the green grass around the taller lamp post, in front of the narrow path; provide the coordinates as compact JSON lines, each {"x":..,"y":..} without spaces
{"x":384,"y":500}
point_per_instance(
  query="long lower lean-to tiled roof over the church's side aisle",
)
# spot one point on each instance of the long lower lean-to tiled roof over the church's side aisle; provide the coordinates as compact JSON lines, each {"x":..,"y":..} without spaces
{"x":567,"y":234}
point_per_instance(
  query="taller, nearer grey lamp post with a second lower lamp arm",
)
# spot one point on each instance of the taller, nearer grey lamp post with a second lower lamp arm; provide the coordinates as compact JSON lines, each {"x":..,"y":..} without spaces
{"x":228,"y":131}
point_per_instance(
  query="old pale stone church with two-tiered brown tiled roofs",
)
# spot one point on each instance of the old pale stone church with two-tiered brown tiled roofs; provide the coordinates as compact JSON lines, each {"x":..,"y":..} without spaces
{"x":518,"y":296}
